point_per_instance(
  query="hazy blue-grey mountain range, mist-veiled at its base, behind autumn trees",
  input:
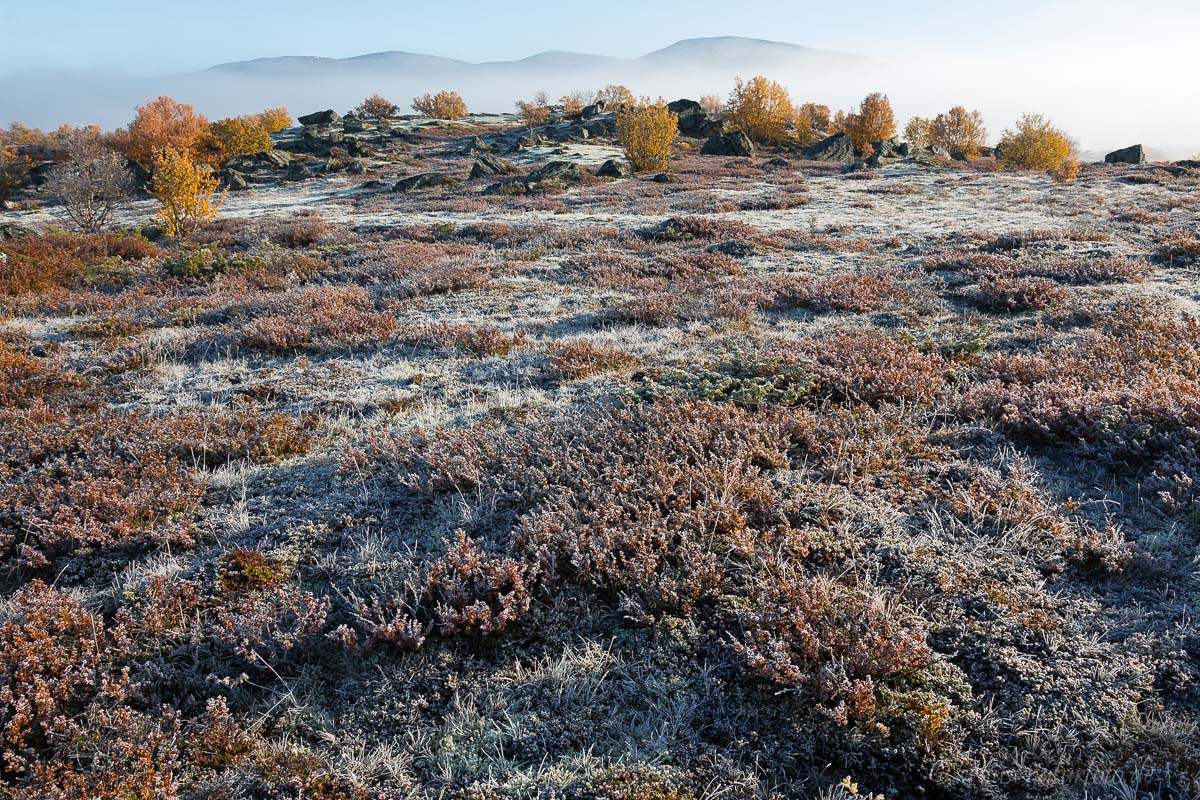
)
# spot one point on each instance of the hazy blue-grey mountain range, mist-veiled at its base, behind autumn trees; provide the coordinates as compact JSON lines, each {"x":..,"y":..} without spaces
{"x":305,"y":83}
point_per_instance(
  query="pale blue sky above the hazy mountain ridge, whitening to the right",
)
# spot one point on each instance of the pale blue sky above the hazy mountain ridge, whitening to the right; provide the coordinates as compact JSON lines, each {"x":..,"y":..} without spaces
{"x":154,"y":37}
